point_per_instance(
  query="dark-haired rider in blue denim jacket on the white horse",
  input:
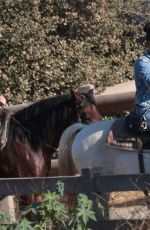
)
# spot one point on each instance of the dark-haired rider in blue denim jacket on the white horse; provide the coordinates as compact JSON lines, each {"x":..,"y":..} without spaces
{"x":142,"y":81}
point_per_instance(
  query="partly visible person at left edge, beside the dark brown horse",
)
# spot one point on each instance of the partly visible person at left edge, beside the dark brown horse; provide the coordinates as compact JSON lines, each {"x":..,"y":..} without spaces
{"x":4,"y":117}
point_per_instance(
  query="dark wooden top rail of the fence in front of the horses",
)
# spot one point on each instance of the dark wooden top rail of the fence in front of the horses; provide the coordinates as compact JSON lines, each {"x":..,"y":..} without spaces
{"x":78,"y":184}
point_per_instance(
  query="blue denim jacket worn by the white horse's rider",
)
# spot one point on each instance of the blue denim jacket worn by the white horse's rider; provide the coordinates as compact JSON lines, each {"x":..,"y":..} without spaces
{"x":142,"y":83}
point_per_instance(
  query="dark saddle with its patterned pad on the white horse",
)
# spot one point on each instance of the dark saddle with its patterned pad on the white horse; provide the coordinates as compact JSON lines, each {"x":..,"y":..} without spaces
{"x":120,"y":137}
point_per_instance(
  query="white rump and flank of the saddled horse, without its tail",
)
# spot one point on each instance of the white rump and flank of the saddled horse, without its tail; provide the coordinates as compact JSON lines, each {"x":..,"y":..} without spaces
{"x":89,"y":150}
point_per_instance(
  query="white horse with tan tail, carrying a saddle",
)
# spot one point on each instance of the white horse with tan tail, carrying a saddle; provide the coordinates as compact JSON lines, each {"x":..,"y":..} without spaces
{"x":83,"y":146}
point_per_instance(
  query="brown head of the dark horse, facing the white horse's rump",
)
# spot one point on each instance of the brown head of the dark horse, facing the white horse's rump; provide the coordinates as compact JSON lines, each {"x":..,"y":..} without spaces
{"x":86,"y":106}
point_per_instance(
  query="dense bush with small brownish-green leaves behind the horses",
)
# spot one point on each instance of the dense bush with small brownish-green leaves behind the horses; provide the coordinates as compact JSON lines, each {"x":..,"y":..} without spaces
{"x":50,"y":46}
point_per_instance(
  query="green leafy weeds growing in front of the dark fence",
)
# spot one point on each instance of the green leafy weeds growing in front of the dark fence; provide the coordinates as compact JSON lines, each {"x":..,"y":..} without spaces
{"x":53,"y":214}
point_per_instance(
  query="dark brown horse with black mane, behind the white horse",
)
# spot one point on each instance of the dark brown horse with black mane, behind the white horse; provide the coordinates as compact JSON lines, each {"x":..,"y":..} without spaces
{"x":34,"y":133}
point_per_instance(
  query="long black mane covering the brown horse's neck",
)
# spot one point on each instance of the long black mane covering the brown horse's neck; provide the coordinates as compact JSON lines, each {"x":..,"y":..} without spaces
{"x":42,"y":119}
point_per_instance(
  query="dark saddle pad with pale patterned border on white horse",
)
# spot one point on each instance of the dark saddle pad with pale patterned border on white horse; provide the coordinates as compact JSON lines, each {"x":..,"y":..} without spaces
{"x":118,"y":137}
